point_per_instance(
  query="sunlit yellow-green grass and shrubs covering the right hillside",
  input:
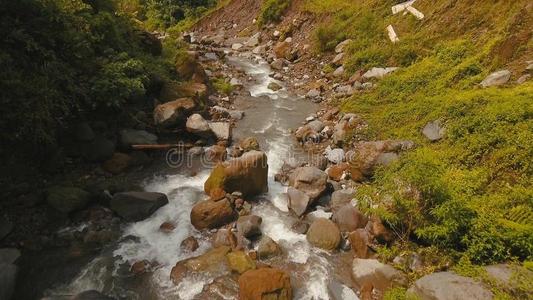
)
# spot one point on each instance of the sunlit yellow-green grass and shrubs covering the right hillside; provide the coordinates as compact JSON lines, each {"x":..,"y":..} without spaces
{"x":470,"y":194}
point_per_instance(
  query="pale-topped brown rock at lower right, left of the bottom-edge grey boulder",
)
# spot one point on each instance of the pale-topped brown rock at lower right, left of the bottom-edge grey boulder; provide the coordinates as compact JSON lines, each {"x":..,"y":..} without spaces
{"x":381,"y":276}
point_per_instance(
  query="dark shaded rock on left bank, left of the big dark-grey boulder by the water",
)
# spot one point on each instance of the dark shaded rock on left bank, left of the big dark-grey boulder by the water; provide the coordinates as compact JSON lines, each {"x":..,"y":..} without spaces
{"x":67,"y":199}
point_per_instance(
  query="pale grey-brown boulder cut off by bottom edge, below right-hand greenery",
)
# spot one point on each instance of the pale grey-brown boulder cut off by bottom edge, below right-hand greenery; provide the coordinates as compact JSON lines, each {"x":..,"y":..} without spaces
{"x":449,"y":286}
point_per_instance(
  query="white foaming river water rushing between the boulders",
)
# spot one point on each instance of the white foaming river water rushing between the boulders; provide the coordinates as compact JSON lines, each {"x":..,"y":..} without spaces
{"x":269,"y":116}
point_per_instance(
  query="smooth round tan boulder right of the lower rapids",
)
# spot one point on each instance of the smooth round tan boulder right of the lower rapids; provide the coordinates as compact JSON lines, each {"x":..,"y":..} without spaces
{"x":324,"y":234}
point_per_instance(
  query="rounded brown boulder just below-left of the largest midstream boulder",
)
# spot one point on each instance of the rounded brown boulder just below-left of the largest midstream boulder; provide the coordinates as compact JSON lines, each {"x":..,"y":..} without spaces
{"x":208,"y":214}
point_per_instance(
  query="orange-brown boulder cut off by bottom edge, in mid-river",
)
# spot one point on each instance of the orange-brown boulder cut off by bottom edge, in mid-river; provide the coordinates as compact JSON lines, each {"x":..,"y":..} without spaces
{"x":265,"y":283}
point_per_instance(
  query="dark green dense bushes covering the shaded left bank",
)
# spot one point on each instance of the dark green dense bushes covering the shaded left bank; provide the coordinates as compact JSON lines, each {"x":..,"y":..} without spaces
{"x":63,"y":60}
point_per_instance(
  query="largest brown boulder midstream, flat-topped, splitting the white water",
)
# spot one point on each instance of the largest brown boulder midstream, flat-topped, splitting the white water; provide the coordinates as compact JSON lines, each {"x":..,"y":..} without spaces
{"x":247,"y":174}
